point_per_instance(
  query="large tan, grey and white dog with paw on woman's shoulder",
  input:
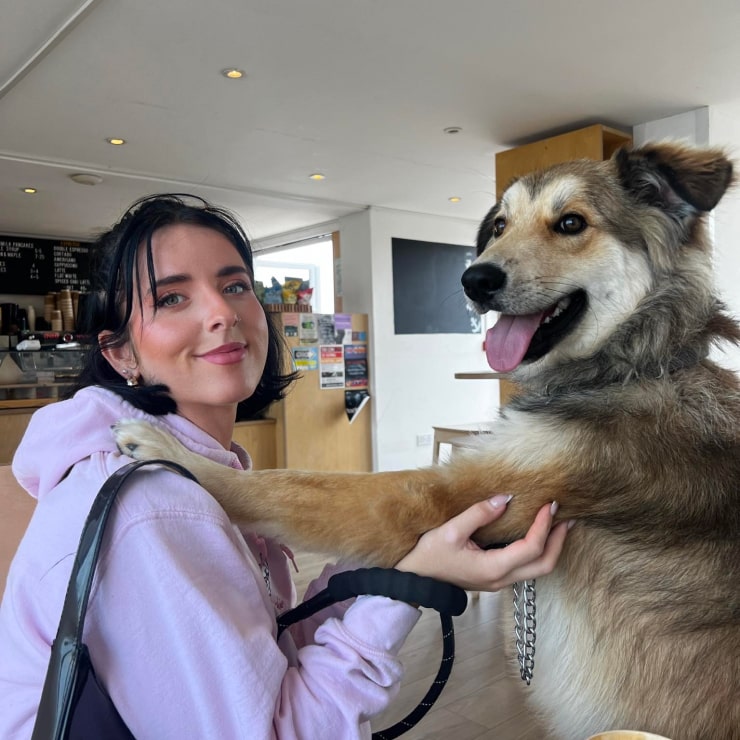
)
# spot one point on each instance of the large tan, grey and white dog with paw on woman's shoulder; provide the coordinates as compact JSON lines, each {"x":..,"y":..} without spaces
{"x":602,"y":274}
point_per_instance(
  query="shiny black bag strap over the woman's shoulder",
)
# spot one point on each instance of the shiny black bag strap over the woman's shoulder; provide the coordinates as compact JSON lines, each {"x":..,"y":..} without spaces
{"x":67,"y":651}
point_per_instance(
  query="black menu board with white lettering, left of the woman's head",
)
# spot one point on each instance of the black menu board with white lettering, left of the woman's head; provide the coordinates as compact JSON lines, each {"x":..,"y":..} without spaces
{"x":38,"y":266}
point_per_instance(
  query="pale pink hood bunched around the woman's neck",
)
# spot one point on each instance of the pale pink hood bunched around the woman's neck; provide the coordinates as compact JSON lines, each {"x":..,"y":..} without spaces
{"x":64,"y":433}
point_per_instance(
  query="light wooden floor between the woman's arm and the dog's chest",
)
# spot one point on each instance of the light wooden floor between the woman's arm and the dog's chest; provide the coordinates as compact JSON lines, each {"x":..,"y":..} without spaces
{"x":483,"y":700}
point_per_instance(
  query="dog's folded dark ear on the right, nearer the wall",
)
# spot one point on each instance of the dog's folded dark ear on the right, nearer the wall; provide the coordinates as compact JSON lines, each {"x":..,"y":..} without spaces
{"x":671,"y":175}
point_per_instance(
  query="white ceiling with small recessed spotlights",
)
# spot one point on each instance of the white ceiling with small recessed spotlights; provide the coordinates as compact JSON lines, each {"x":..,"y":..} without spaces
{"x":360,"y":90}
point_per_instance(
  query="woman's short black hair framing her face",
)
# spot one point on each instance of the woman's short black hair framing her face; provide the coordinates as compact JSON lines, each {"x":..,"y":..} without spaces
{"x":110,"y":303}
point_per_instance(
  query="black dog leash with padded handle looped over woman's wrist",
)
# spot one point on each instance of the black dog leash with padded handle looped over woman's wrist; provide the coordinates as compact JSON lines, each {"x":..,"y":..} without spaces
{"x":445,"y":598}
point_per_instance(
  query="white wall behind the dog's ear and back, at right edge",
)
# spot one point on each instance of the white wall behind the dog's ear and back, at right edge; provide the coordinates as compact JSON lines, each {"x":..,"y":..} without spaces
{"x":716,"y":126}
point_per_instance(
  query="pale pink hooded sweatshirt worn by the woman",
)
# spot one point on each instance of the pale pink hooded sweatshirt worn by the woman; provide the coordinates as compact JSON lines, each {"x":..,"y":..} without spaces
{"x":181,"y":622}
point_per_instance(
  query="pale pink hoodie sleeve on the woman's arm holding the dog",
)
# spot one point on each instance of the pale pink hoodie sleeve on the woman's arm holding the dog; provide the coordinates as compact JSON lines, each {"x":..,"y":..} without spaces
{"x":183,"y":635}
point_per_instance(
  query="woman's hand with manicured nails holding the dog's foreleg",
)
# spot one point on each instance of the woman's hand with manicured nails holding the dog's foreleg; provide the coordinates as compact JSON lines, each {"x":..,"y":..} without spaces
{"x":448,"y":554}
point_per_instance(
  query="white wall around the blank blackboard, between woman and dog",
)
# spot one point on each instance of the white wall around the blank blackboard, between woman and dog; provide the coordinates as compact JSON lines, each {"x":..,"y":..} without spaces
{"x":412,"y":376}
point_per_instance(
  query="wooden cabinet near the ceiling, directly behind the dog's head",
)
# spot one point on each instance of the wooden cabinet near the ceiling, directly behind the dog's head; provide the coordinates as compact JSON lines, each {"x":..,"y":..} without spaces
{"x":593,"y":142}
